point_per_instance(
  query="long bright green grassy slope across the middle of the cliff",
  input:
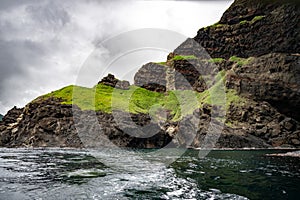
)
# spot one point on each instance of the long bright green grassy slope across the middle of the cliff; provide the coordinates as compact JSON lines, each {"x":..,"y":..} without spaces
{"x":139,"y":100}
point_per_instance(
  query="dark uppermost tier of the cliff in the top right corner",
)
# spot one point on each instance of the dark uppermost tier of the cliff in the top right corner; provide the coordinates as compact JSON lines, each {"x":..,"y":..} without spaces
{"x":277,"y":30}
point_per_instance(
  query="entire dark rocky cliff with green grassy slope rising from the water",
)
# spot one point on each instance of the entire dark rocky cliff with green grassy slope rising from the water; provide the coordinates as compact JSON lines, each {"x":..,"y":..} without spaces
{"x":254,"y":48}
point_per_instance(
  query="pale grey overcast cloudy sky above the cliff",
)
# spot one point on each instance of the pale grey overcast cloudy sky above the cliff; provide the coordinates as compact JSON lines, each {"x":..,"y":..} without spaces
{"x":45,"y":43}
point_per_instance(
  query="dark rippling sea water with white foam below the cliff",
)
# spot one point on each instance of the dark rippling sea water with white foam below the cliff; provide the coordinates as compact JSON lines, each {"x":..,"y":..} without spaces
{"x":123,"y":174}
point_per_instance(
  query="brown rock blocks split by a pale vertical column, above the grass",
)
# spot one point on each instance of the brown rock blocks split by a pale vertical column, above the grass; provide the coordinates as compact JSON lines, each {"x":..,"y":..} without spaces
{"x":176,"y":74}
